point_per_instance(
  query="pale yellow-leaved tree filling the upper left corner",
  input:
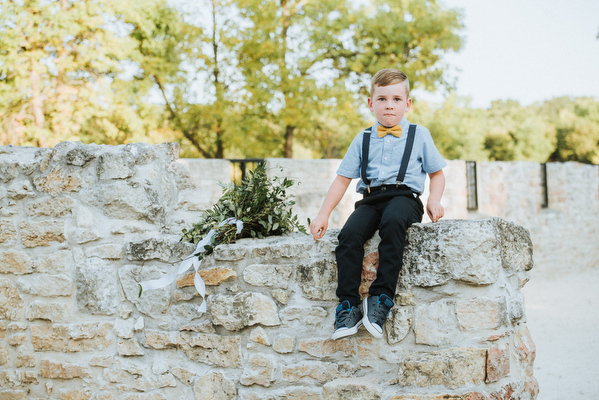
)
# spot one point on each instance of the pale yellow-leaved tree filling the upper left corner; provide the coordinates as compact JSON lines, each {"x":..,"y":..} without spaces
{"x":69,"y":70}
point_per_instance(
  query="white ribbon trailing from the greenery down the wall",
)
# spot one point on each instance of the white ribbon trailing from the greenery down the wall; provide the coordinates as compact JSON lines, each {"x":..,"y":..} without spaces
{"x":188,"y":262}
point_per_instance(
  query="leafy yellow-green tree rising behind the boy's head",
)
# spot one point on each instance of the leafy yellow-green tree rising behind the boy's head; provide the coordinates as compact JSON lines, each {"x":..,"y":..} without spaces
{"x":301,"y":59}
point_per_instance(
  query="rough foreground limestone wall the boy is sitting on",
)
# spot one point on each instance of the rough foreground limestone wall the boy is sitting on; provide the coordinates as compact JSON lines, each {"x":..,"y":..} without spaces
{"x":80,"y":226}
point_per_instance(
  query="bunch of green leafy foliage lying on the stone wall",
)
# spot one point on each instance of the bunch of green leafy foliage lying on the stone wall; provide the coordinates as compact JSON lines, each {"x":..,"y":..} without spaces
{"x":263,"y":204}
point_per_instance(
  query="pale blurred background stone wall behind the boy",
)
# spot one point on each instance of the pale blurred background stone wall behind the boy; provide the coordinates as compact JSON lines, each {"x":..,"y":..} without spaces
{"x":564,"y":234}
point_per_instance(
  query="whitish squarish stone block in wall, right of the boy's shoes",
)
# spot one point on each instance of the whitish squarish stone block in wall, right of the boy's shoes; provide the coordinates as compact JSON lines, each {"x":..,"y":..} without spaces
{"x":436,"y":323}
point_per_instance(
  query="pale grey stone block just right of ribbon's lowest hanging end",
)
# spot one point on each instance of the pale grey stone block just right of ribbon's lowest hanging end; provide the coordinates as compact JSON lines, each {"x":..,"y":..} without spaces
{"x":241,"y":310}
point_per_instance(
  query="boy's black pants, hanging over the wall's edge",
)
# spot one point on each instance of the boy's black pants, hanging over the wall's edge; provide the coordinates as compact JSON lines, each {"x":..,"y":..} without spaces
{"x":390,"y":213}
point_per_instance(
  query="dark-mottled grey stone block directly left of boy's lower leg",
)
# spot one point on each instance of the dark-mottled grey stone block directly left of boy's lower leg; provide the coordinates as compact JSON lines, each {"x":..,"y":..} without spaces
{"x":318,"y":279}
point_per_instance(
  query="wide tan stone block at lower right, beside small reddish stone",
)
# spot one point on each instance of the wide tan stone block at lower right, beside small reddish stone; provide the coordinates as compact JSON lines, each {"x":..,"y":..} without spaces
{"x":452,"y":368}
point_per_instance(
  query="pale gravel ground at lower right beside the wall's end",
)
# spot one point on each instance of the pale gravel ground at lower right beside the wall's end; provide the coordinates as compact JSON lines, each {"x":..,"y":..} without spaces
{"x":563,"y":319}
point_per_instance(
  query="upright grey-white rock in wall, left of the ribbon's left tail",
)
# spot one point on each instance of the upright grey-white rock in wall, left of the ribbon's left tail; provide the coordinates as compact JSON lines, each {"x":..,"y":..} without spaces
{"x":97,"y":287}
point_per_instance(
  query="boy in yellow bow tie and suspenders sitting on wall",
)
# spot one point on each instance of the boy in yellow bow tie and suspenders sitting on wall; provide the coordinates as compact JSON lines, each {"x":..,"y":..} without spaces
{"x":391,"y":201}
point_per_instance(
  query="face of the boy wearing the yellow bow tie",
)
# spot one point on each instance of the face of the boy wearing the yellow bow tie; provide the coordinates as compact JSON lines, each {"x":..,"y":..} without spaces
{"x":389,"y":104}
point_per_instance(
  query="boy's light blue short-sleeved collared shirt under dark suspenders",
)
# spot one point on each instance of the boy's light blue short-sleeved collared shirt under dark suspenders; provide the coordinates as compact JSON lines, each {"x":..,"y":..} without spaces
{"x":384,"y":159}
